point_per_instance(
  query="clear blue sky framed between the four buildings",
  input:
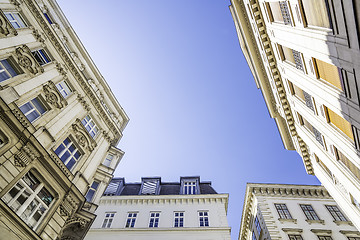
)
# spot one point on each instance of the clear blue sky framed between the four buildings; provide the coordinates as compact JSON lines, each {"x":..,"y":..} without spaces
{"x":177,"y":69}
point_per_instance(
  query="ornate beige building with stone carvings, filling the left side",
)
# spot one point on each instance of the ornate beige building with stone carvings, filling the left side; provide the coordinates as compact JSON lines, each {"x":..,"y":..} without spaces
{"x":59,"y":125}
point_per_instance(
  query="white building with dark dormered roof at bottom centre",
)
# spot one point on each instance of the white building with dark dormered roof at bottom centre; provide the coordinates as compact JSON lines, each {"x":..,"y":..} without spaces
{"x":153,"y":209}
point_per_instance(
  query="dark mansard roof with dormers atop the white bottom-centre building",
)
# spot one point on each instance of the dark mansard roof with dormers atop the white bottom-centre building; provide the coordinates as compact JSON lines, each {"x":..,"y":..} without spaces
{"x":118,"y":187}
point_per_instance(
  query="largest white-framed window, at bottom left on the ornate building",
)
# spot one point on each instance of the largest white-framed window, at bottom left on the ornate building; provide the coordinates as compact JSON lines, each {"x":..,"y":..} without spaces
{"x":29,"y":199}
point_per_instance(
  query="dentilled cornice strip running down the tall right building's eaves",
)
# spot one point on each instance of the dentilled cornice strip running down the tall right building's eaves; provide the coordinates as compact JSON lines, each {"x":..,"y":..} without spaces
{"x":275,"y":74}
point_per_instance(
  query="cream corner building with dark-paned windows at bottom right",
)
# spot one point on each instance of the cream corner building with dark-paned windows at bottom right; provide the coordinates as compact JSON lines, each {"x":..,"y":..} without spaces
{"x":294,"y":212}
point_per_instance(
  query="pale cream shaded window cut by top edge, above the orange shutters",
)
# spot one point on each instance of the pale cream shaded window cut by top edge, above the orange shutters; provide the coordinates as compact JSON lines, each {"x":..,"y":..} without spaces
{"x":316,"y":13}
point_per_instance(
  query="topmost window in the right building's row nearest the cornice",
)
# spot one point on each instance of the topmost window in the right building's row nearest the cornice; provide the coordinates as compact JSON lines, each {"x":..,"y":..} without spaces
{"x":279,"y":12}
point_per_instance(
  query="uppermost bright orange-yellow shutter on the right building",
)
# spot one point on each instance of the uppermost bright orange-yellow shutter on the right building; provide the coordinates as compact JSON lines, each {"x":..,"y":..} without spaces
{"x":328,"y":72}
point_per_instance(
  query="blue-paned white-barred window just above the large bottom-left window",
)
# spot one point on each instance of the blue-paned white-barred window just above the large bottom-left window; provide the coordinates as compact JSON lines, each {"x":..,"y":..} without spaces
{"x":68,"y":153}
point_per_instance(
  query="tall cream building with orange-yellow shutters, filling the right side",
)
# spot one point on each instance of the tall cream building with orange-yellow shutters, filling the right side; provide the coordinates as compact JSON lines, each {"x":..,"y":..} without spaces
{"x":305,"y":58}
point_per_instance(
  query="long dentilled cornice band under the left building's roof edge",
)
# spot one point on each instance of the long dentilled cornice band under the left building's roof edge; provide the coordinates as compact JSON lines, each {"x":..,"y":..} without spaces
{"x":73,"y":68}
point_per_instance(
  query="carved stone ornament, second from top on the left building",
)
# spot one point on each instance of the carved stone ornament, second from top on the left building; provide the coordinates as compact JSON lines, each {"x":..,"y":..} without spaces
{"x":27,"y":61}
